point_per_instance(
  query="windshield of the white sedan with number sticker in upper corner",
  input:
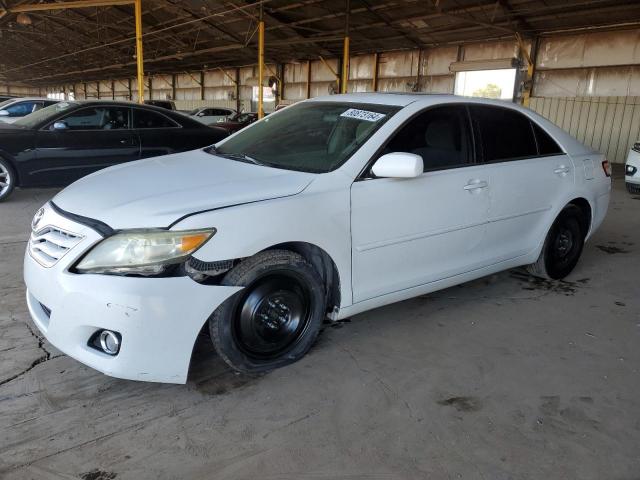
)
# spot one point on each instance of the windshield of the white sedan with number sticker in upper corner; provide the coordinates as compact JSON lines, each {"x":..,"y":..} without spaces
{"x":311,"y":136}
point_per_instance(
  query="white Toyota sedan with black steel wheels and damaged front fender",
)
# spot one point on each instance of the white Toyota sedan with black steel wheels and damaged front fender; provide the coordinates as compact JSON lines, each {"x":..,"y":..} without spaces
{"x":325,"y":209}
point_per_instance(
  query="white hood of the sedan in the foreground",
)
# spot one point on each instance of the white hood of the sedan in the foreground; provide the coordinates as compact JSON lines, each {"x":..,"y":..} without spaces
{"x":158,"y":191}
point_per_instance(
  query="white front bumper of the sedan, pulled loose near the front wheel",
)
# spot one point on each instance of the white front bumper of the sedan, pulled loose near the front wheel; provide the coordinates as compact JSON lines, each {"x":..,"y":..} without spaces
{"x":158,"y":318}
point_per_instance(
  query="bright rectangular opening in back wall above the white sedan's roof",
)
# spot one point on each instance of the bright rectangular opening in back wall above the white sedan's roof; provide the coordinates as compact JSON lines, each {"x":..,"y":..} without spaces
{"x":486,"y":83}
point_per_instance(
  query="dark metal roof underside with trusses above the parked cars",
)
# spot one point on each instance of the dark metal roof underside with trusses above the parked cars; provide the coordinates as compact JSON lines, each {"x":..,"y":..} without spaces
{"x":98,"y":42}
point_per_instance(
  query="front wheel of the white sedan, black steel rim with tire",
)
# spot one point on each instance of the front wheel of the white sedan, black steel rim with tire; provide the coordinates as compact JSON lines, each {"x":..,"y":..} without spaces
{"x":275,"y":319}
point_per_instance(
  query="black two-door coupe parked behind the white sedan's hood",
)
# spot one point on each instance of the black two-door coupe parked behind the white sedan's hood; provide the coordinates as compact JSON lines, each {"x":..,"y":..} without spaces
{"x":61,"y":143}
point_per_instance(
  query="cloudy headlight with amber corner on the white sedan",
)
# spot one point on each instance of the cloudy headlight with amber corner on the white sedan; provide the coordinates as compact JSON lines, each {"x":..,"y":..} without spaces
{"x":142,"y":252}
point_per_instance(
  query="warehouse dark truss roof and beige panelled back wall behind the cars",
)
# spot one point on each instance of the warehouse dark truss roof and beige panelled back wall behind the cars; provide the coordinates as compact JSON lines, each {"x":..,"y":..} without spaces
{"x":585,"y":55}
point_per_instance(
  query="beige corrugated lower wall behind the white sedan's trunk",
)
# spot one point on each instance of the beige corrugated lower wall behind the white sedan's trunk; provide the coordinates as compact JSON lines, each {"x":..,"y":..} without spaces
{"x":608,"y":124}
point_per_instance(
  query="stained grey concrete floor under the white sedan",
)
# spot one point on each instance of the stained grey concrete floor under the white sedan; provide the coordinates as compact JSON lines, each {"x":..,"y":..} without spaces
{"x":502,"y":378}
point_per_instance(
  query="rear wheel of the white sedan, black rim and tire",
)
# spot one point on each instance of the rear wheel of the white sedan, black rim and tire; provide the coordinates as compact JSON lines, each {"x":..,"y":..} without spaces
{"x":562,"y":247}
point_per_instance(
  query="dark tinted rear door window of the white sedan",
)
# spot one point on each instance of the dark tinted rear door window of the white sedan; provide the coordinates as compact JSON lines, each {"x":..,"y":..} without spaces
{"x":502,"y":134}
